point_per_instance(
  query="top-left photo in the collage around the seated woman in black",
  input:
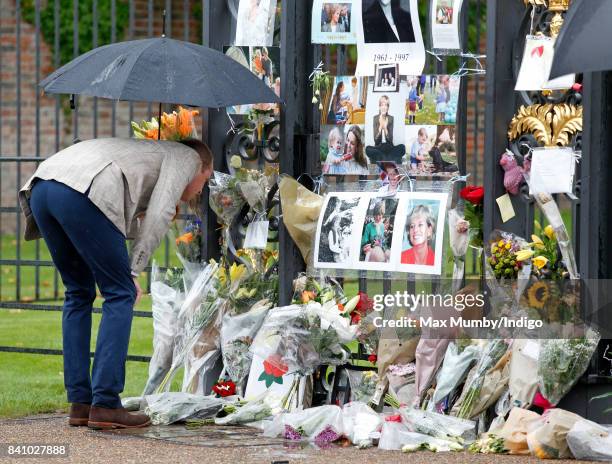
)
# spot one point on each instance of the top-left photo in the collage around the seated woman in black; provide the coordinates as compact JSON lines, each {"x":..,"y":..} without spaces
{"x":347,"y":102}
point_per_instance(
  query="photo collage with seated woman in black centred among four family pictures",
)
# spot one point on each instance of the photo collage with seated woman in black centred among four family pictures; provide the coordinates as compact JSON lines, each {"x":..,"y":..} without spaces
{"x":405,"y":120}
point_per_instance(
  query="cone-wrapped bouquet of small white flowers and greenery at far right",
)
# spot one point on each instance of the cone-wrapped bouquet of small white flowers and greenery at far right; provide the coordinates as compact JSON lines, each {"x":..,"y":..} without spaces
{"x":562,"y":362}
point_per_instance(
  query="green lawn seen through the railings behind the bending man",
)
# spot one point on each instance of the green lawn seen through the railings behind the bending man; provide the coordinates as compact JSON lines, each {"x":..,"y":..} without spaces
{"x":34,"y":384}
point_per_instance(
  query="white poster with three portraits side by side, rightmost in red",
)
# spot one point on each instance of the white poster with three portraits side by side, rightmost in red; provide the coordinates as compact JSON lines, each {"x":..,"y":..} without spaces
{"x":364,"y":231}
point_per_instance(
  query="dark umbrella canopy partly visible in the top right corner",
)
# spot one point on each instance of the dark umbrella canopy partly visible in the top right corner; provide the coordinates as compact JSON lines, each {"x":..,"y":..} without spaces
{"x":584,"y":42}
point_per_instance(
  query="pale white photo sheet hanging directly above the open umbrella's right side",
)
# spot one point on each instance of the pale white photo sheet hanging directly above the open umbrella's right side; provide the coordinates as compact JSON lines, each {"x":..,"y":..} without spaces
{"x":255,"y":23}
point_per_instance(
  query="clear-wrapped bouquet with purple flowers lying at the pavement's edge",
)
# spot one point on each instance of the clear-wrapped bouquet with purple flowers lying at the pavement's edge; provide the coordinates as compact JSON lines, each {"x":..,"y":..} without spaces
{"x":321,"y":425}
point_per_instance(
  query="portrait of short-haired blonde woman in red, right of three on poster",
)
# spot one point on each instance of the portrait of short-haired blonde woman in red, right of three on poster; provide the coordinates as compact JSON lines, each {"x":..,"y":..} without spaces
{"x":421,"y":227}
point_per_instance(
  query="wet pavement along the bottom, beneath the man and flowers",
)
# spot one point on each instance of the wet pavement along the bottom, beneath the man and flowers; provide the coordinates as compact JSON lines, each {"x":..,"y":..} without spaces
{"x":206,"y":444}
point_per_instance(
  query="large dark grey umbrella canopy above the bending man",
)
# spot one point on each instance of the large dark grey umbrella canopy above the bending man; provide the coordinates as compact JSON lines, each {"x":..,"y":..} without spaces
{"x":160,"y":70}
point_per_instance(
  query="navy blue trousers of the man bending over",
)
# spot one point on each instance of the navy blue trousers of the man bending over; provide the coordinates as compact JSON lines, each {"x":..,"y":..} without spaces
{"x":88,"y":249}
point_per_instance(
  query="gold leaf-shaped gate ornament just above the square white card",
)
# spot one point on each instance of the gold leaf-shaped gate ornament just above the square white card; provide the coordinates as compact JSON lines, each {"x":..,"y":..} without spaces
{"x":551,"y":125}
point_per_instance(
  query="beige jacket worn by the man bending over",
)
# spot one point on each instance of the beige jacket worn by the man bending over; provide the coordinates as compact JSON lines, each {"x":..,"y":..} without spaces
{"x":125,"y":178}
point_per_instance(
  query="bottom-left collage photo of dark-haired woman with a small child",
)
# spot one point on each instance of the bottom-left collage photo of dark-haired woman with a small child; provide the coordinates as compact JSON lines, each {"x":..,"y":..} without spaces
{"x":342,"y":150}
